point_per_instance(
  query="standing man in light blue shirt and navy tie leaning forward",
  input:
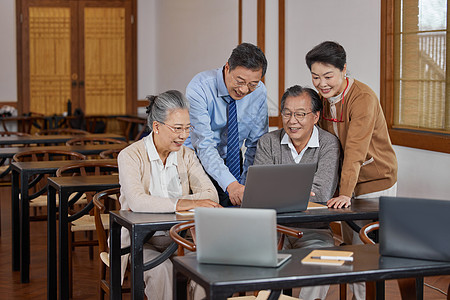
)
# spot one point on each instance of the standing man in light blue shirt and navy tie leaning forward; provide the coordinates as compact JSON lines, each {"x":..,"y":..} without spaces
{"x":221,"y":99}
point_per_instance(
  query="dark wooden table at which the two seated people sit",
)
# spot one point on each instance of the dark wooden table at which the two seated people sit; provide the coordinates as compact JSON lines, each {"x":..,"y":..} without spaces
{"x":142,"y":226}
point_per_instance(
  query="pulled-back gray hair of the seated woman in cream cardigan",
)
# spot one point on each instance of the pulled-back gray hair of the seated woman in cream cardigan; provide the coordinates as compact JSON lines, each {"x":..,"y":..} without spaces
{"x":160,"y":106}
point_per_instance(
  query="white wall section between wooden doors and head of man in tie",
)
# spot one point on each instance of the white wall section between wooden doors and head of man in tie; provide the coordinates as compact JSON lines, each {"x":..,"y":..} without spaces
{"x":191,"y":36}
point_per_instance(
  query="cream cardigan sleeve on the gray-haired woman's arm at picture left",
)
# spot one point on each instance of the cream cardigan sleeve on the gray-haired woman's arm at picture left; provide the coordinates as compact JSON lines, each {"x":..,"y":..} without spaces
{"x":133,"y":193}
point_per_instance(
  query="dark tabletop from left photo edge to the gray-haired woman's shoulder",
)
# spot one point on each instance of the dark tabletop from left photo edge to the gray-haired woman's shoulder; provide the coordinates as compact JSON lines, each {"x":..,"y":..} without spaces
{"x":51,"y":139}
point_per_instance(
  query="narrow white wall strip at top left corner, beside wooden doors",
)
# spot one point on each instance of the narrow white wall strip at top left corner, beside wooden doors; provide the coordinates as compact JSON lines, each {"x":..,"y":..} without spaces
{"x":8,"y":67}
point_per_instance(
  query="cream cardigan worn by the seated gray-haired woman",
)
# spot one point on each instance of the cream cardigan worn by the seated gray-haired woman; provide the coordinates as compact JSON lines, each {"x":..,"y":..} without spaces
{"x":134,"y":179}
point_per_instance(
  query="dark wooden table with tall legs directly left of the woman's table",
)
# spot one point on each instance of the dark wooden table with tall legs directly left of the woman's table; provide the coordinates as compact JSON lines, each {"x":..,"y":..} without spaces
{"x":65,"y":186}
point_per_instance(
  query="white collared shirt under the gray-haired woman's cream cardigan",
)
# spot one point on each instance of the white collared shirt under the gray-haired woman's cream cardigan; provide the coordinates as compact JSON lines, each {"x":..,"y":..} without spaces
{"x":165,"y":181}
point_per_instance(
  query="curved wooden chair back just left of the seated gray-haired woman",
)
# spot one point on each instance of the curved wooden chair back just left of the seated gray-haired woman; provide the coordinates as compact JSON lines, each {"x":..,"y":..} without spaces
{"x":104,"y":202}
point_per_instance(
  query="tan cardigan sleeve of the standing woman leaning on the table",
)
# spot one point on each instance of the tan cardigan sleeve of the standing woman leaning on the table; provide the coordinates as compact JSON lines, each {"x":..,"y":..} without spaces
{"x":362,"y":114}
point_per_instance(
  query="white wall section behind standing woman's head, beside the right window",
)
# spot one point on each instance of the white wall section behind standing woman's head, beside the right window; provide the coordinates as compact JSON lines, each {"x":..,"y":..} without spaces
{"x":355,"y":24}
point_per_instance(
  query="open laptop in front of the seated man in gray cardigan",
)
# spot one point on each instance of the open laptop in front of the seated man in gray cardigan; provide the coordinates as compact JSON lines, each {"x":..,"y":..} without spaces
{"x":285,"y":188}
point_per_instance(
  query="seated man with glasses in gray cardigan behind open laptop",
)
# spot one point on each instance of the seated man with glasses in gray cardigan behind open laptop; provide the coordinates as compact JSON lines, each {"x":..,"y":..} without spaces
{"x":301,"y":141}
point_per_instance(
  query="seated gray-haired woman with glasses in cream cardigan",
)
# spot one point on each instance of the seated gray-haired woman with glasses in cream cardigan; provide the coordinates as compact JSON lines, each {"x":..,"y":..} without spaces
{"x":158,"y":174}
